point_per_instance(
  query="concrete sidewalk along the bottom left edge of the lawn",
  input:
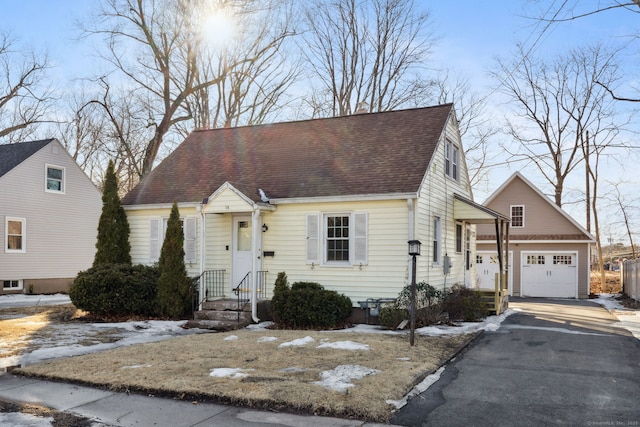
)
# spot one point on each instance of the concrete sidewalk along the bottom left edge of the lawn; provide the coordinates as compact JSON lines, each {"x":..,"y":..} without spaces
{"x":107,"y":408}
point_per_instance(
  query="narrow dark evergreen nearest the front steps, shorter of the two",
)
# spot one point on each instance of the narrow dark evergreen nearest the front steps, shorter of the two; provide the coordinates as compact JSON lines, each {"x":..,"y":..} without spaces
{"x":174,"y":286}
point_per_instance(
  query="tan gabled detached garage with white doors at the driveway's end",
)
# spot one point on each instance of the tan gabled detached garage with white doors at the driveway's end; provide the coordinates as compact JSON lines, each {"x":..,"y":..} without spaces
{"x":549,"y":250}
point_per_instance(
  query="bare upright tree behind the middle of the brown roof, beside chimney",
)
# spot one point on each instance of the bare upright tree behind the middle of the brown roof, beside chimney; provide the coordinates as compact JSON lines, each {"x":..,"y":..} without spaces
{"x":370,"y":52}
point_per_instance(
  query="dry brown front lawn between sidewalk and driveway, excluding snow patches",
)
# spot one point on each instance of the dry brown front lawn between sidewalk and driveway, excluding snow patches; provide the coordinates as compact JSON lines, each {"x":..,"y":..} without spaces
{"x":180,"y":367}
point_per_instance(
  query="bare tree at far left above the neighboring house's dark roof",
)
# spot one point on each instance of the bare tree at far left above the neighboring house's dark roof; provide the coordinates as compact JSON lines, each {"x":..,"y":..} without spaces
{"x":24,"y":98}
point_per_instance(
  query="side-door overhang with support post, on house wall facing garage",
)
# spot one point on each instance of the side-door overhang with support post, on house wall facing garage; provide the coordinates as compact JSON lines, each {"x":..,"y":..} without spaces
{"x":474,"y":213}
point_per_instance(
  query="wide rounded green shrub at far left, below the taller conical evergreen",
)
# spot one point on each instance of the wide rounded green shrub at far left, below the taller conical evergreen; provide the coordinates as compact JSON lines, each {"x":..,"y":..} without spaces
{"x":115,"y":289}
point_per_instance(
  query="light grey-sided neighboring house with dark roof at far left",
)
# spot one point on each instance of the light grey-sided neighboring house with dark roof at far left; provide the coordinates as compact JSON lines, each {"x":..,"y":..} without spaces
{"x":49,"y":213}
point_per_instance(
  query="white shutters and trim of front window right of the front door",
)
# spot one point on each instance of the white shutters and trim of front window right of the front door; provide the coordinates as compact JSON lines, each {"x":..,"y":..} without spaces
{"x":316,"y":239}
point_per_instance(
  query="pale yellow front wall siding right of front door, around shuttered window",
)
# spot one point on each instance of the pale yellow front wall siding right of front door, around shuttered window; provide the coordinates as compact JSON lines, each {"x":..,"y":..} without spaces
{"x":383,"y":276}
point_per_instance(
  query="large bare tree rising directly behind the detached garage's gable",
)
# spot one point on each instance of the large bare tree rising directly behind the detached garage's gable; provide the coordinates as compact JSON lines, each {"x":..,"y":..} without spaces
{"x":555,"y":103}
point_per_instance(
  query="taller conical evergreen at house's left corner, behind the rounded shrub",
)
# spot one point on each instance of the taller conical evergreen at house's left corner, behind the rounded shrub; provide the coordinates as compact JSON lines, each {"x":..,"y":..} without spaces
{"x":113,"y":245}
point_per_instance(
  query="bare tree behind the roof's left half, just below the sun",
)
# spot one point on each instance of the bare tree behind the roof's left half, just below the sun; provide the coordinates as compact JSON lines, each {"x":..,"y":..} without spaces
{"x":246,"y":93}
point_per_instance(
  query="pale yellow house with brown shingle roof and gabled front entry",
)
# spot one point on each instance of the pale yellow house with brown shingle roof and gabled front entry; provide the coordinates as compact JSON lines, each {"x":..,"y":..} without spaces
{"x":332,"y":201}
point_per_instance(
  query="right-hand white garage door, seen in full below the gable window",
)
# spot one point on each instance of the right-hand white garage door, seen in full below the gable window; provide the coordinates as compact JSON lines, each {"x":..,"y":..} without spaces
{"x":549,"y":275}
